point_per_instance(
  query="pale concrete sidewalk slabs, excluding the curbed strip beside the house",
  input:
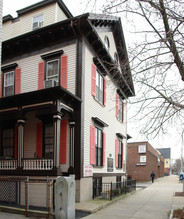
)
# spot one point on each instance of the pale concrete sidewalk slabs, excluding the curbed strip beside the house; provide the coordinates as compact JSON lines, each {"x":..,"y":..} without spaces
{"x":155,"y":201}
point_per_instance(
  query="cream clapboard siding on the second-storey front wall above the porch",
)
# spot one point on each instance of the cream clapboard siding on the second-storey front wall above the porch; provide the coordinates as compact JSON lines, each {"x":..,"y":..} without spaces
{"x":29,"y":69}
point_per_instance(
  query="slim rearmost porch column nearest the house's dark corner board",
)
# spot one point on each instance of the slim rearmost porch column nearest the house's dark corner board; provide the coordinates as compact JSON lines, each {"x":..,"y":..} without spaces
{"x":72,"y":133}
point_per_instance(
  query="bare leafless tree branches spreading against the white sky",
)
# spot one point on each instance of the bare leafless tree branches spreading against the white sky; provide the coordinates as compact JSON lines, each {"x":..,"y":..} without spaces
{"x":156,"y":60}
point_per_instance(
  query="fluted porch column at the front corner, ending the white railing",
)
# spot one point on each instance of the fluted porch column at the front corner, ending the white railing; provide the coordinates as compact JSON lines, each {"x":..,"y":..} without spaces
{"x":57,"y":123}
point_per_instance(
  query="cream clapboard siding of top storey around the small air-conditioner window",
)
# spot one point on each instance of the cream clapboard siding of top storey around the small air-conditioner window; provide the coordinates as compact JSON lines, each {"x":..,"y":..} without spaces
{"x":24,"y":23}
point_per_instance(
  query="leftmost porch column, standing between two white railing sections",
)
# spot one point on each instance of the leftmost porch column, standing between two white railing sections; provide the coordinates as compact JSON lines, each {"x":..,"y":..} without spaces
{"x":21,"y":124}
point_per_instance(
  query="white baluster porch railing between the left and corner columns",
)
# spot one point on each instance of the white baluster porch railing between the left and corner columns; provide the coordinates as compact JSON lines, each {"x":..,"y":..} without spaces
{"x":37,"y":164}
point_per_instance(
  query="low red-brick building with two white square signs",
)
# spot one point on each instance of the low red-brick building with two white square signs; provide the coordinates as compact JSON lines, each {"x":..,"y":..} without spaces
{"x":142,"y":159}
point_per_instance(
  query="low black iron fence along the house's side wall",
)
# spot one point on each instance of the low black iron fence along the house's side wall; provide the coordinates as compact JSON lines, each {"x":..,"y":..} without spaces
{"x":110,"y":190}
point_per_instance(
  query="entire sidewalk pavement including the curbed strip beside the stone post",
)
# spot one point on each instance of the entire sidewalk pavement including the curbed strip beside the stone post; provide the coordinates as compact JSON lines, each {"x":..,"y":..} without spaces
{"x":155,"y":201}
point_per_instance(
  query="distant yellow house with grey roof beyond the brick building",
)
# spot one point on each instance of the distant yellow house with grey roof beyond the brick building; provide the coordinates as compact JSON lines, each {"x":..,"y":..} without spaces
{"x":166,"y":153}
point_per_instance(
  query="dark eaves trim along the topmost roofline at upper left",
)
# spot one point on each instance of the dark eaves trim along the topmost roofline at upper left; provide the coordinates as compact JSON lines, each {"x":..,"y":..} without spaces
{"x":37,"y":6}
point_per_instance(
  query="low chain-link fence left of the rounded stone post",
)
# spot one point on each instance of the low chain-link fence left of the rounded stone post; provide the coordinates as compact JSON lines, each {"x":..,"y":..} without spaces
{"x":33,"y":195}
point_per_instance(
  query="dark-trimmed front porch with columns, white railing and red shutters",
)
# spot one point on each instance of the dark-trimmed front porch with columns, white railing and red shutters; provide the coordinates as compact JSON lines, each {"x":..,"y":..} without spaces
{"x":37,"y":139}
